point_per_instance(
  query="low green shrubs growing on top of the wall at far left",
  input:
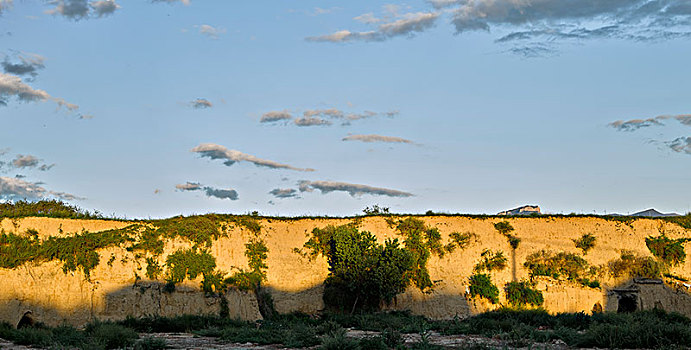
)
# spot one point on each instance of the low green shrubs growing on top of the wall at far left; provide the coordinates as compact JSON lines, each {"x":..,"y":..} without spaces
{"x":44,"y":208}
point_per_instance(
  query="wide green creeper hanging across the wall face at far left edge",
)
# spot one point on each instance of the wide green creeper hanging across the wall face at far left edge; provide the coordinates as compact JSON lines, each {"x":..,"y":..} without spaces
{"x":76,"y":251}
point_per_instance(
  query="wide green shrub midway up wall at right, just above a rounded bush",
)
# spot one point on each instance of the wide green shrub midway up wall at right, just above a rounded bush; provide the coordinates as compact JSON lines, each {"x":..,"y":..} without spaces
{"x":562,"y":266}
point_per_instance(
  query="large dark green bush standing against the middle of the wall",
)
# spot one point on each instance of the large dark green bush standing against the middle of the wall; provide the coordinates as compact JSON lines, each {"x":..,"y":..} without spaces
{"x":362,"y":273}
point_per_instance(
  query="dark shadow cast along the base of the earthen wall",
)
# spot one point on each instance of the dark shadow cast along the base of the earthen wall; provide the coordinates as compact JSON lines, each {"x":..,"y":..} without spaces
{"x":151,"y":298}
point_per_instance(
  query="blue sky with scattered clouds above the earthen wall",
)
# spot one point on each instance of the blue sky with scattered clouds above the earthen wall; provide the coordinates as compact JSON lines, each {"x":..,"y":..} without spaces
{"x":159,"y":108}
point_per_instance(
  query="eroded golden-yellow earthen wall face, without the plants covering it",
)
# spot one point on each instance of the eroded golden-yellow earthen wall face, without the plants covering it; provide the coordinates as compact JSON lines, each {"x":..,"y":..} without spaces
{"x":117,"y":287}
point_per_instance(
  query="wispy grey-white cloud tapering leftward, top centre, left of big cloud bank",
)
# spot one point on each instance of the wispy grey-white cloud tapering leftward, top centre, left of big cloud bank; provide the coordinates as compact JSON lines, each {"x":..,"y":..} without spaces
{"x":407,"y":25}
